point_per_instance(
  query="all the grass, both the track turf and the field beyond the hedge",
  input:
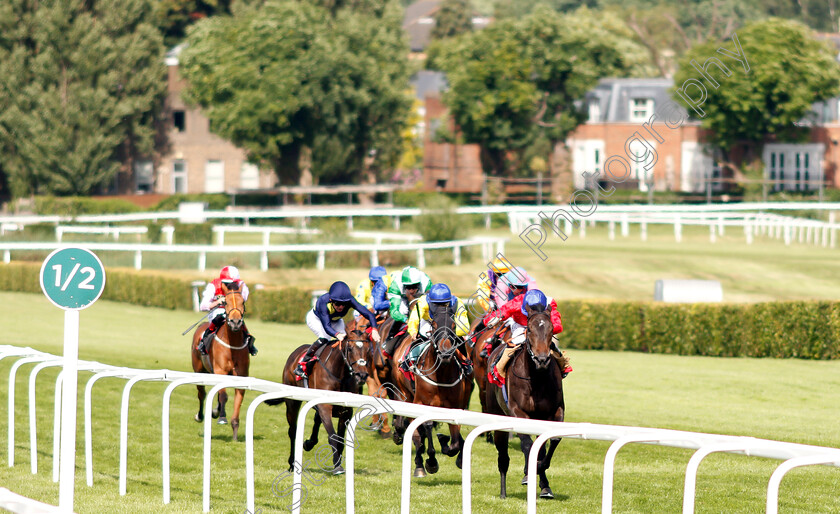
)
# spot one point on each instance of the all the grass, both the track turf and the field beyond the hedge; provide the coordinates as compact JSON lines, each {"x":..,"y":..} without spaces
{"x":788,"y":400}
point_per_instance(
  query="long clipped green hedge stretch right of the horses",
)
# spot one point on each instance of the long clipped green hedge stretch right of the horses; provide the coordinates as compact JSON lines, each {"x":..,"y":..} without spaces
{"x":806,"y":329}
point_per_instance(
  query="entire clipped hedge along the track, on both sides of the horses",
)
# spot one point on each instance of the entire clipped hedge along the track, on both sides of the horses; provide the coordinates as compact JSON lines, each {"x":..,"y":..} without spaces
{"x":803,"y":329}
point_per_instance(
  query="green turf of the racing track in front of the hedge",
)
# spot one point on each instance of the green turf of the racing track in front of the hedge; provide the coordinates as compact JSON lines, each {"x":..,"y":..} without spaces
{"x":789,"y":400}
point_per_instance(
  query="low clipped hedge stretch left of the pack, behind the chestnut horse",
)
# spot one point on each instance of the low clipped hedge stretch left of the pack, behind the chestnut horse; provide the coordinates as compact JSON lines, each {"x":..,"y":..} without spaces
{"x":288,"y":305}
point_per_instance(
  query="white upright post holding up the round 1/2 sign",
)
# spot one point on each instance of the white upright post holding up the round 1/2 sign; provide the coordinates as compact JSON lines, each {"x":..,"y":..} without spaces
{"x":67,"y":469}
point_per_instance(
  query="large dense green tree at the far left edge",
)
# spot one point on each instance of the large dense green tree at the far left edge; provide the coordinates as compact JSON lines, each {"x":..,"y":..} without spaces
{"x":81,"y":85}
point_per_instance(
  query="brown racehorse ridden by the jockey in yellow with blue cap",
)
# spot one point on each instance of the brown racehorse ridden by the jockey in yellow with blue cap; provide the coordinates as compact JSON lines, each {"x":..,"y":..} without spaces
{"x":440,"y":381}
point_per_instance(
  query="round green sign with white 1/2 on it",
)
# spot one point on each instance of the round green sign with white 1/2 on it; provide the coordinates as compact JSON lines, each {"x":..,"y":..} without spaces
{"x":72,"y":278}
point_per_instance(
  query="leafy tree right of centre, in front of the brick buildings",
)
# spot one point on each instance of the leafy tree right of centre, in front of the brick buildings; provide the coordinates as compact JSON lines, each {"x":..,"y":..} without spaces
{"x":520,"y":80}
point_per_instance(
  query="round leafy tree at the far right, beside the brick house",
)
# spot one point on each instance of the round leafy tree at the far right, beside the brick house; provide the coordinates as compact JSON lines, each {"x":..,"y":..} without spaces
{"x":787,"y":71}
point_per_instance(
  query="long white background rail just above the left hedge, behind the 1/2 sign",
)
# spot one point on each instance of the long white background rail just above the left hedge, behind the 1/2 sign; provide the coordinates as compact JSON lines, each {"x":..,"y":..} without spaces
{"x":487,"y":245}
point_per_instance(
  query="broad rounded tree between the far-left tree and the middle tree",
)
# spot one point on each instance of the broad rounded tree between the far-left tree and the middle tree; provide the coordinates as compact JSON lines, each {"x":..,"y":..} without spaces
{"x":288,"y":78}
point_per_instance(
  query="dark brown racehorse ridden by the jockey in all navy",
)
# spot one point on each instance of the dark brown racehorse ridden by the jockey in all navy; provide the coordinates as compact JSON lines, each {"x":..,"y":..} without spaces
{"x":342,"y":366}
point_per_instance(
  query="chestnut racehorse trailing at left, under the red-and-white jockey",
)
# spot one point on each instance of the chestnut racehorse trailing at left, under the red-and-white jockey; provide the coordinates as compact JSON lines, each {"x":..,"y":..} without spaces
{"x":227,"y":355}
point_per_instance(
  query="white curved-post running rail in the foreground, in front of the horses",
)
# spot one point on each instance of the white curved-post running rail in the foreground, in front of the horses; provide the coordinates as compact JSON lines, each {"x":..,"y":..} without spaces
{"x":793,"y":455}
